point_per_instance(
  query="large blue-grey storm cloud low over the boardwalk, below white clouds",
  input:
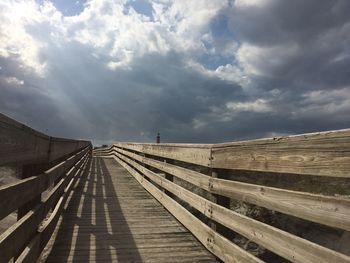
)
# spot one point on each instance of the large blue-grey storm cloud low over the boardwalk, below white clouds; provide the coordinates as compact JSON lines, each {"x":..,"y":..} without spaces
{"x":129,"y":104}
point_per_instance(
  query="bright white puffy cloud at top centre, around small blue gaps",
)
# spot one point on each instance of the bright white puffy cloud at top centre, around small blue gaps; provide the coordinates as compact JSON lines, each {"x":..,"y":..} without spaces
{"x":123,"y":35}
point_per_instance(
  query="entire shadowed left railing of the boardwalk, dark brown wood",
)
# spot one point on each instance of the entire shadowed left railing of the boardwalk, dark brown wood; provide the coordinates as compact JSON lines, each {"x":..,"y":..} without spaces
{"x":48,"y":164}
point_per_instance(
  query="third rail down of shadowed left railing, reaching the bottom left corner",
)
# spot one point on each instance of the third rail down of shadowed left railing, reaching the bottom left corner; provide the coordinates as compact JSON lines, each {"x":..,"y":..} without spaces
{"x":19,"y":234}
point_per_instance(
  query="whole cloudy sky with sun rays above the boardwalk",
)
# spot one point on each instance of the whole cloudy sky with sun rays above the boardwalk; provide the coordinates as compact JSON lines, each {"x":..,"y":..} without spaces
{"x":196,"y":71}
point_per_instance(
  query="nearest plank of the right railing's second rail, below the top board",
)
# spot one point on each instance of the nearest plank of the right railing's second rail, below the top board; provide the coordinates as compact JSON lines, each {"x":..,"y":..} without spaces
{"x":327,"y":210}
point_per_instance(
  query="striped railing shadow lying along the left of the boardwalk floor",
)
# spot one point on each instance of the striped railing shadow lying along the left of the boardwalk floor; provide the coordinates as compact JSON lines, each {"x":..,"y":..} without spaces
{"x":93,"y":227}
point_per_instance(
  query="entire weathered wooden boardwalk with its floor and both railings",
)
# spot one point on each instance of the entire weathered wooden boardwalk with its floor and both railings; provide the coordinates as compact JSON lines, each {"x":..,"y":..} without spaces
{"x":124,"y":207}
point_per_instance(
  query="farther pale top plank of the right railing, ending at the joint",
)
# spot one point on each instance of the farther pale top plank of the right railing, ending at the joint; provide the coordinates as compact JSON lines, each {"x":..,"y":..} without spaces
{"x":191,"y":153}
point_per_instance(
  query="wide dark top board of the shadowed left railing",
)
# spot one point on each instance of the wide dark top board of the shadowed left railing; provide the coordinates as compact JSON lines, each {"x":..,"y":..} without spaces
{"x":21,"y":144}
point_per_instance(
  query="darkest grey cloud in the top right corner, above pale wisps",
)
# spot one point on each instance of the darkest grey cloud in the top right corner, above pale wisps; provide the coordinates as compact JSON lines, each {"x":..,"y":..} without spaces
{"x":298,"y":21}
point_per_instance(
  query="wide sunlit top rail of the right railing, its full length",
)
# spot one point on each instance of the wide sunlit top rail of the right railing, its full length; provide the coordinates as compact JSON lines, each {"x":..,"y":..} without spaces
{"x":321,"y":154}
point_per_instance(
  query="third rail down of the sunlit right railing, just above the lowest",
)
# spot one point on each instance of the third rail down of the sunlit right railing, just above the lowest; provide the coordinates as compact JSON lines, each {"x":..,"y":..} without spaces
{"x":282,"y":243}
